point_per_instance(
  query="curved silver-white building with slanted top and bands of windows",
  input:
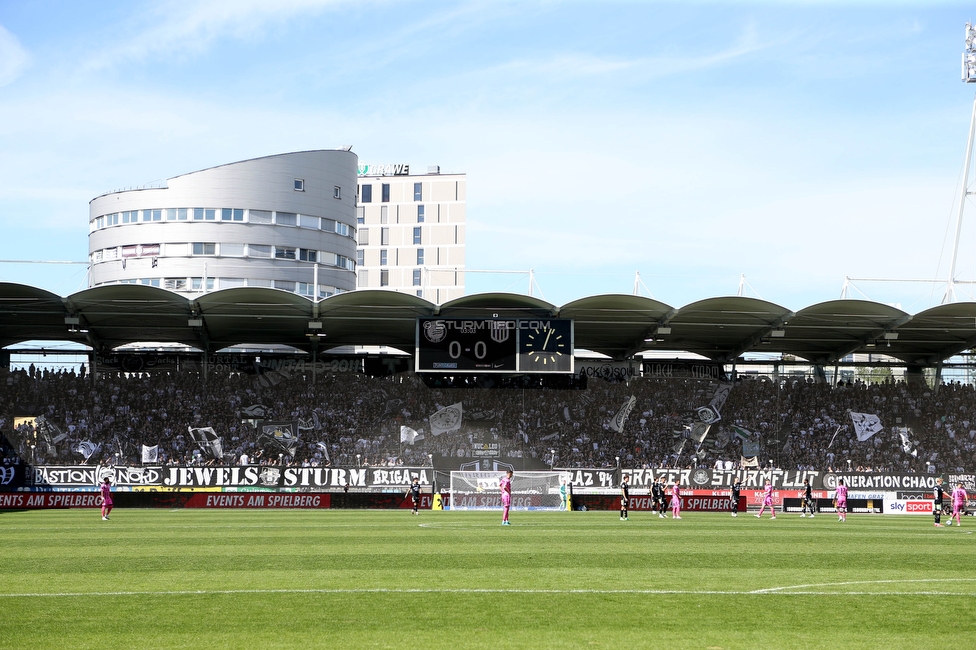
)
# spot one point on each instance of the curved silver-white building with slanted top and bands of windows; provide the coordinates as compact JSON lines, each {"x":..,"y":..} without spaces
{"x":286,"y":221}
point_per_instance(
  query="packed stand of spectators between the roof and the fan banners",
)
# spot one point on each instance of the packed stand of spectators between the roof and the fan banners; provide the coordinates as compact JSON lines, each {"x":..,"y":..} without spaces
{"x":346,"y":419}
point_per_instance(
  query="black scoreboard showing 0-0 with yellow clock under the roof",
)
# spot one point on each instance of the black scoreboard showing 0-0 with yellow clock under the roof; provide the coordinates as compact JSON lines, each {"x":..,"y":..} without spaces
{"x":481,"y":345}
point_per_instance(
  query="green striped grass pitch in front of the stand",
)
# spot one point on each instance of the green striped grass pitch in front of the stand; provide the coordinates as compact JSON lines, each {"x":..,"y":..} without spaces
{"x":241,"y":579}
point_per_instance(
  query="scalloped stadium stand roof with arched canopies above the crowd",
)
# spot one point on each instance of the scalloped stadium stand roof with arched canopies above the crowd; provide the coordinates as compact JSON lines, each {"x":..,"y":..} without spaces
{"x":619,"y":326}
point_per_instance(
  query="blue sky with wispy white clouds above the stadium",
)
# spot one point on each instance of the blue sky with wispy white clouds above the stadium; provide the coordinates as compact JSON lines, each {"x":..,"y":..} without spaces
{"x":795,"y":143}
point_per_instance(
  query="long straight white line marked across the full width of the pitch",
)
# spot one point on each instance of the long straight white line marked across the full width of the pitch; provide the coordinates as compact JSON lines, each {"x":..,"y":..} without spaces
{"x":651,"y":592}
